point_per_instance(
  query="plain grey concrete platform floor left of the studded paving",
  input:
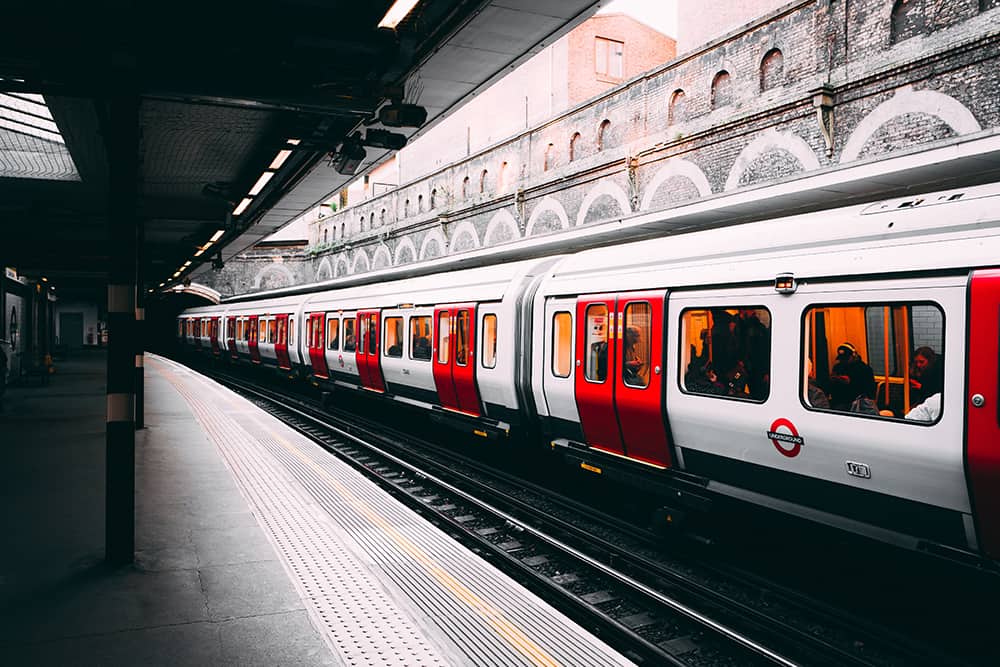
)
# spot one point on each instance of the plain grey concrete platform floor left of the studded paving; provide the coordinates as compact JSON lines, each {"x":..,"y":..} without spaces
{"x":206,"y":587}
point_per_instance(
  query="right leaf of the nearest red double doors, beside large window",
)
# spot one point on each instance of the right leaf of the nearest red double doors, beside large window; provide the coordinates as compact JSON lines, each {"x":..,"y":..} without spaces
{"x":639,"y":384}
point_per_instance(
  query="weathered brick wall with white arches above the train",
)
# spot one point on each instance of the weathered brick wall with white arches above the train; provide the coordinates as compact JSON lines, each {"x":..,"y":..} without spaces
{"x":889,"y":93}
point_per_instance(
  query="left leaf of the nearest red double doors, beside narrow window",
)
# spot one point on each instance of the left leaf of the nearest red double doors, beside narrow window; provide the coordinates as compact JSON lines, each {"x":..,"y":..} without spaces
{"x":595,"y":370}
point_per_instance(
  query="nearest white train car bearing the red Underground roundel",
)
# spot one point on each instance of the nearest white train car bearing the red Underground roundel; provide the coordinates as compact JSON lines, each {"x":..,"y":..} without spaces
{"x":839,"y":366}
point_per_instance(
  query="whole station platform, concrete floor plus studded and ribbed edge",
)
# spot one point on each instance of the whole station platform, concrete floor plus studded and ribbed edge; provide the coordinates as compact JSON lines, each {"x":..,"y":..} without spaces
{"x":254,"y":546}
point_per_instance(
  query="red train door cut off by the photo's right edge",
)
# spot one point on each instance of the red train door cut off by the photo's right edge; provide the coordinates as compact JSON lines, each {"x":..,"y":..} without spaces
{"x":982,"y":447}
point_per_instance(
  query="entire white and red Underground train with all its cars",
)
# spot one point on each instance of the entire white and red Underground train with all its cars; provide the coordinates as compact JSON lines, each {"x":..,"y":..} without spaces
{"x":840,"y":366}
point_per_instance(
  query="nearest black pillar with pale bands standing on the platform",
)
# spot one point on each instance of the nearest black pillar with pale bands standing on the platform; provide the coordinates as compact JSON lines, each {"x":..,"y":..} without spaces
{"x":122,"y":136}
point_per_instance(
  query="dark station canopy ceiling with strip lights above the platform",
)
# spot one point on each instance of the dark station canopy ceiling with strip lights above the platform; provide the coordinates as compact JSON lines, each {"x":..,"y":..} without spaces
{"x":223,"y":86}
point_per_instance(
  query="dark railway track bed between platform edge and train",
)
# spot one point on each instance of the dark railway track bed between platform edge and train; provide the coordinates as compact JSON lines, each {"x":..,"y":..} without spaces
{"x":611,"y":577}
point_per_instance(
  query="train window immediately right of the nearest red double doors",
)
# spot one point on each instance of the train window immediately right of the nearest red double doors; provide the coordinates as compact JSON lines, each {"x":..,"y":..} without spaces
{"x":727,"y":352}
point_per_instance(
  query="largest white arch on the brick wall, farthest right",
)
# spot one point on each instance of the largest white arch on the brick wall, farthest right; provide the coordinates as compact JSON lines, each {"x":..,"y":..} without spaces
{"x":906,"y":100}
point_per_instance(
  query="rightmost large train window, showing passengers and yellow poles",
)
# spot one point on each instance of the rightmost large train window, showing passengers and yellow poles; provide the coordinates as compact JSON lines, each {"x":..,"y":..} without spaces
{"x":878,"y":360}
